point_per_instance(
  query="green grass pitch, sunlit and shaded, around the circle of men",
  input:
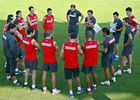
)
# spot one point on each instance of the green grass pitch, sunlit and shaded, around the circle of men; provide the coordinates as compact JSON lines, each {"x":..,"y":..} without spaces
{"x":127,"y":86}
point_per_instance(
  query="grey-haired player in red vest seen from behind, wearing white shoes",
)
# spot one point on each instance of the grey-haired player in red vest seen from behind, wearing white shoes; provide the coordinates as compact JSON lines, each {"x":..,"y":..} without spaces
{"x":49,"y":61}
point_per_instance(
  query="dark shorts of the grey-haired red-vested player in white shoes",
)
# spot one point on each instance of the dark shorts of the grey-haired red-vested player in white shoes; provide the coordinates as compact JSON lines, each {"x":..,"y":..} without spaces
{"x":53,"y":67}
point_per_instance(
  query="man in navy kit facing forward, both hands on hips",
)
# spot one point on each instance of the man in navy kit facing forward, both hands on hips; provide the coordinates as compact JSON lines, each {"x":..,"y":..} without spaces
{"x":73,"y":20}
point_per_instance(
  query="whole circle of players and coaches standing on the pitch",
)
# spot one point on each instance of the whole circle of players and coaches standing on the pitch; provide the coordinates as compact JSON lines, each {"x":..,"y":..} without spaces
{"x":14,"y":35}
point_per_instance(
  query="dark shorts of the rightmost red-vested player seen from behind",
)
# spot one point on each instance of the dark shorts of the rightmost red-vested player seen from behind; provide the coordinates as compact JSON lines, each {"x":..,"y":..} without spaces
{"x":87,"y":69}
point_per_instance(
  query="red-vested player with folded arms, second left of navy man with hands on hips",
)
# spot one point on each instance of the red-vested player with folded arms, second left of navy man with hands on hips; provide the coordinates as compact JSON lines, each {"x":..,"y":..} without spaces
{"x":33,"y":21}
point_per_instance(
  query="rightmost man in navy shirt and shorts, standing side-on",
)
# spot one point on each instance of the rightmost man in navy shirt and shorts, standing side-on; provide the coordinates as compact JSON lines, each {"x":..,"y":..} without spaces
{"x":130,"y":34}
